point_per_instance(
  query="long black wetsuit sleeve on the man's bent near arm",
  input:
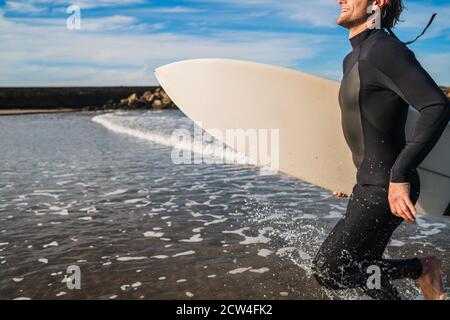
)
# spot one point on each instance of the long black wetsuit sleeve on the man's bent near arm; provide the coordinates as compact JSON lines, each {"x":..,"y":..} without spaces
{"x":405,"y":76}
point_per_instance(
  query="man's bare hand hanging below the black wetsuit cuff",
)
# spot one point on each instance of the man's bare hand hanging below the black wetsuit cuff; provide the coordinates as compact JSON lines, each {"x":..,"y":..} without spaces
{"x":400,"y":202}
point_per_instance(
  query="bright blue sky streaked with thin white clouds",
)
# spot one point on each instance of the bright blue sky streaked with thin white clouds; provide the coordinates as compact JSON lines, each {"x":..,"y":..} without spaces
{"x":121,"y":42}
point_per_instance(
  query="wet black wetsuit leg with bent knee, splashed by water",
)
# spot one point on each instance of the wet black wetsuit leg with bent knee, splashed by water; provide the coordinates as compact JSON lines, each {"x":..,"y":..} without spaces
{"x":358,"y":242}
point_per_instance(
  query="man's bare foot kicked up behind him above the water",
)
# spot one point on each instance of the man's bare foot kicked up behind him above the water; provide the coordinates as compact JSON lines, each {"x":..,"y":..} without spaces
{"x":430,"y":281}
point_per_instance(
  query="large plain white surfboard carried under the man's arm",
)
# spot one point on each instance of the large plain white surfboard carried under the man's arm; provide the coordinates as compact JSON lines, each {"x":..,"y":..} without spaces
{"x":224,"y":94}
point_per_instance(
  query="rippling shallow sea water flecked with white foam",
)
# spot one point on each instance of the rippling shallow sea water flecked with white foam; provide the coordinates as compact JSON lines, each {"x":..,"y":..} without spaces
{"x":100,"y":191}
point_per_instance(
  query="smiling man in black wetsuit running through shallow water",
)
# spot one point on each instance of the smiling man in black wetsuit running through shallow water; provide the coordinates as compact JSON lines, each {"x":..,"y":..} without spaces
{"x":381,"y":79}
